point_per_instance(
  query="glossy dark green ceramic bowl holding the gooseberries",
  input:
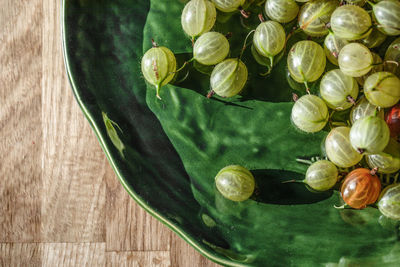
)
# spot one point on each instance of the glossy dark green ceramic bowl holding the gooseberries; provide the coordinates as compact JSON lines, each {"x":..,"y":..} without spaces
{"x":167,"y":153}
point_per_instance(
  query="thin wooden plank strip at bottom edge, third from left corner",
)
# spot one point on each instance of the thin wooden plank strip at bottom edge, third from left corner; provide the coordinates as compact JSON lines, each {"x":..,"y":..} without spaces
{"x":139,"y":259}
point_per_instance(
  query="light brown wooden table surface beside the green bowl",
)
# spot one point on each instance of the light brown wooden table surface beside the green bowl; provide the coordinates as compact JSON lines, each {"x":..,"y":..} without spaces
{"x":60,"y":202}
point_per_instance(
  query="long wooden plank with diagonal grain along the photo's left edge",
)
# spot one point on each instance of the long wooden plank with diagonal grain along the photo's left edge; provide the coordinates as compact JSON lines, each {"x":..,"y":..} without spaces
{"x":20,"y":119}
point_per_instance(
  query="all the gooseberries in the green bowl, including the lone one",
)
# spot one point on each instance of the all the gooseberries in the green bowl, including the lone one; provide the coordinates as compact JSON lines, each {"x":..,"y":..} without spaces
{"x":350,"y":52}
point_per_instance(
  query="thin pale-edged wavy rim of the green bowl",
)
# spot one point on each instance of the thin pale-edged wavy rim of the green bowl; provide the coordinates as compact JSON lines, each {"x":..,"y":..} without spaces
{"x":123,"y":181}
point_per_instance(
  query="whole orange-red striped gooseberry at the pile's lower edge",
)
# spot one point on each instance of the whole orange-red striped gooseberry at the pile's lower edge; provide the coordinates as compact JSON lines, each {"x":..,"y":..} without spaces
{"x":360,"y":188}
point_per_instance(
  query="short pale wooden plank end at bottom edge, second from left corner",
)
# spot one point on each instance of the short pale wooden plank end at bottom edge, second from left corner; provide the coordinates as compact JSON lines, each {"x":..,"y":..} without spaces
{"x":73,"y":254}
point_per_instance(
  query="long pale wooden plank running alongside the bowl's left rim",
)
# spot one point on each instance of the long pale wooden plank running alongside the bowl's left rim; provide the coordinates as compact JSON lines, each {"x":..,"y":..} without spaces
{"x":74,"y":166}
